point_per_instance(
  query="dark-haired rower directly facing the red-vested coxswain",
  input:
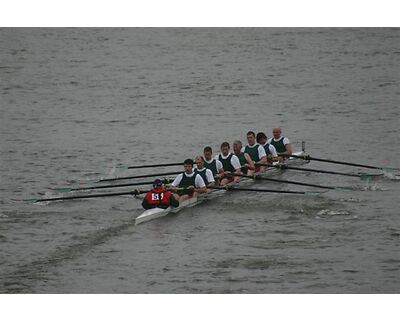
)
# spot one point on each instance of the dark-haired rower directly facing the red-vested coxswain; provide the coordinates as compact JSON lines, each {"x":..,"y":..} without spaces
{"x":188,"y":184}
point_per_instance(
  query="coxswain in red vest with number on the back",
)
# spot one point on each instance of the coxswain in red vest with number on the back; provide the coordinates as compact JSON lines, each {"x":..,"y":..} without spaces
{"x":159,"y":197}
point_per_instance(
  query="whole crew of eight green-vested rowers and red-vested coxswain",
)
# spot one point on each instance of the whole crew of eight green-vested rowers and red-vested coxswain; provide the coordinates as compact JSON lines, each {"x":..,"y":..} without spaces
{"x":220,"y":170}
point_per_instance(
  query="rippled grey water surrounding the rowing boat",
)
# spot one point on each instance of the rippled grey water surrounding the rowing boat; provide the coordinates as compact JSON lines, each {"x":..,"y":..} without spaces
{"x":76,"y":103}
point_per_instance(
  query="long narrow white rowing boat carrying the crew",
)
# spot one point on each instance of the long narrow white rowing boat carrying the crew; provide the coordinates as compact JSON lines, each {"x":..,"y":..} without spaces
{"x":155,"y":213}
